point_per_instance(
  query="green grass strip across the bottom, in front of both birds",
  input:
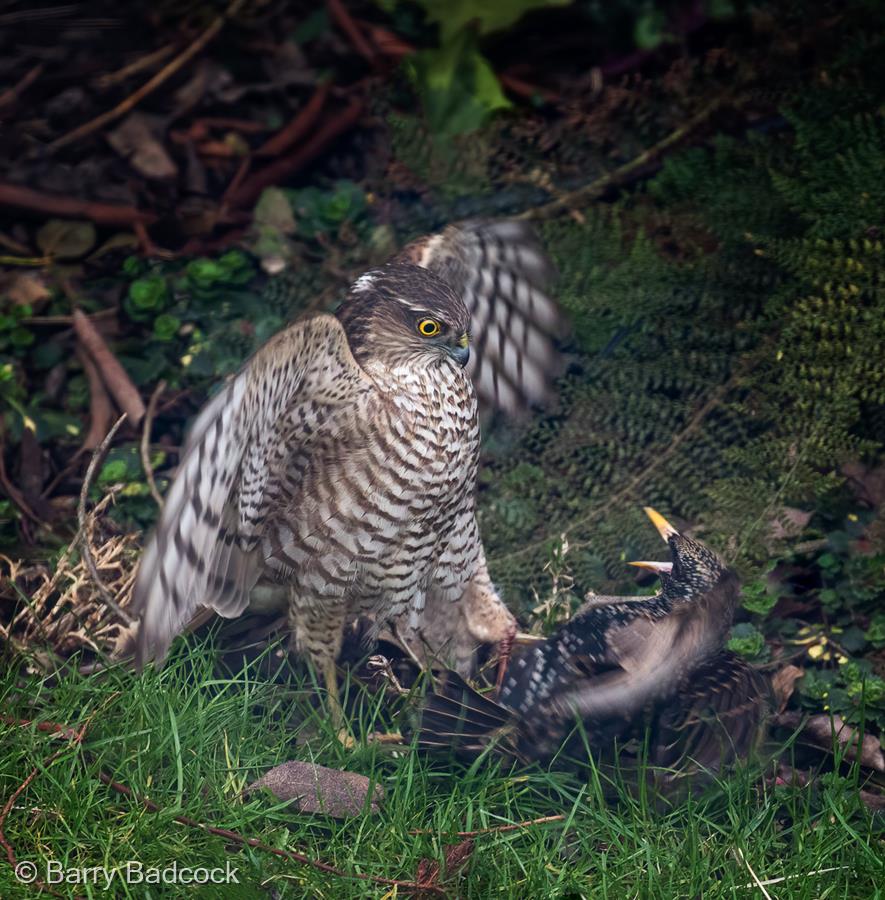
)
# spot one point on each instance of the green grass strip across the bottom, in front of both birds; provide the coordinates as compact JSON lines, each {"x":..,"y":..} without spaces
{"x":191,"y":741}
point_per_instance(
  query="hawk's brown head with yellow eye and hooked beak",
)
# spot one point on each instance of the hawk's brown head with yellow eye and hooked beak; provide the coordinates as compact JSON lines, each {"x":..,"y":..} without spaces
{"x":403,"y":314}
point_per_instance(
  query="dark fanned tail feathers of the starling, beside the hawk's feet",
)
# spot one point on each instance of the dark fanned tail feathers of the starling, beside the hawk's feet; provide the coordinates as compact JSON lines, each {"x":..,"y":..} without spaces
{"x":455,"y":716}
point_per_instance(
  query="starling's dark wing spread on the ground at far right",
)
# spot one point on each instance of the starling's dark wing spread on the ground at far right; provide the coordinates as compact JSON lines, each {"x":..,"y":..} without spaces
{"x":716,"y":718}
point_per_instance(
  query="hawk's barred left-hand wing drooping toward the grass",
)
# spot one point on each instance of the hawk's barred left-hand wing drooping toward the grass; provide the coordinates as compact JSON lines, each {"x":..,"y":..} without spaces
{"x":205,"y":549}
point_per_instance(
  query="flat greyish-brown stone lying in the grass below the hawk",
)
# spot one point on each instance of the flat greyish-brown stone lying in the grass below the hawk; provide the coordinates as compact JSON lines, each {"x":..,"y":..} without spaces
{"x":318,"y":789}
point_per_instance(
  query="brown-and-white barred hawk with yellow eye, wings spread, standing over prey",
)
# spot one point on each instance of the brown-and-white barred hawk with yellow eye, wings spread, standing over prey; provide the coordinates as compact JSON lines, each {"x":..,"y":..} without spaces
{"x":342,"y":459}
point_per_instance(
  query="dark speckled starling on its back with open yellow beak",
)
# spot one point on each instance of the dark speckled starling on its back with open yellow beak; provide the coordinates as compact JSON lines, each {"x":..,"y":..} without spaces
{"x":620,"y":664}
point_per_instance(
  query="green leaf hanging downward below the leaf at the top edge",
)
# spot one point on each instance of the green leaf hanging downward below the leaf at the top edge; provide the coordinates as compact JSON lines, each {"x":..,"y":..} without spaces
{"x":459,"y":88}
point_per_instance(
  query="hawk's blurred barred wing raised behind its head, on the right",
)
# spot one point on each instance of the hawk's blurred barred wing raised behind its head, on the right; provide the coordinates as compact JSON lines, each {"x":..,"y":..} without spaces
{"x":503,"y":275}
